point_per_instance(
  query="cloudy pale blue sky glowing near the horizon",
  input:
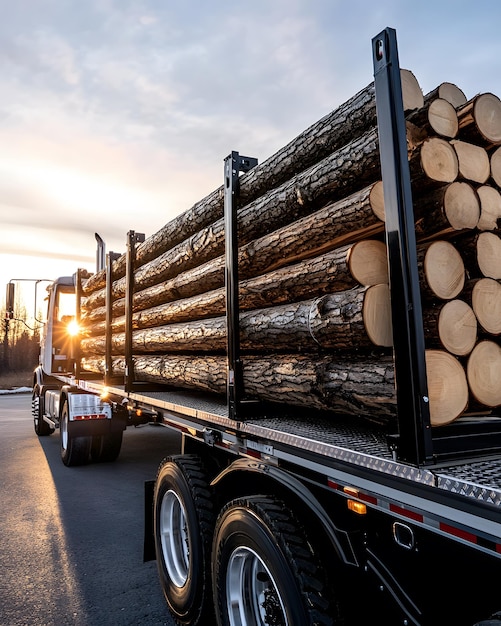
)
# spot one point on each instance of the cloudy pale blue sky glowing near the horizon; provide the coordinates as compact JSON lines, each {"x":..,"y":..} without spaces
{"x":116,"y":115}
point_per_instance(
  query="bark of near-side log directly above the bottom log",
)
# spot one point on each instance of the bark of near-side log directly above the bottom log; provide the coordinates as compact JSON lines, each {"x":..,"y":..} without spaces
{"x":334,"y":321}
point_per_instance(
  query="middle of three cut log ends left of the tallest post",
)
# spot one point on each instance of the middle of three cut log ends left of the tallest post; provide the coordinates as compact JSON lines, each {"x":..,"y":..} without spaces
{"x":368,"y":262}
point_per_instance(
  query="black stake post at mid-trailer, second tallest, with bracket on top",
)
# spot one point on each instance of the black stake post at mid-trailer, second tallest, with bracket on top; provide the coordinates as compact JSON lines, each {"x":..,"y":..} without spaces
{"x":233,"y":164}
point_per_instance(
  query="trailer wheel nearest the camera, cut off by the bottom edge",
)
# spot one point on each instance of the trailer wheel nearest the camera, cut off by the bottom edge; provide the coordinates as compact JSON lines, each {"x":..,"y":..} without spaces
{"x":264,"y":568}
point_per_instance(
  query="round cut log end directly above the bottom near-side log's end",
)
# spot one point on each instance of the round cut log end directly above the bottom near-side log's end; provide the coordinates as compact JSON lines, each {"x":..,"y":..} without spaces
{"x":457,"y":327}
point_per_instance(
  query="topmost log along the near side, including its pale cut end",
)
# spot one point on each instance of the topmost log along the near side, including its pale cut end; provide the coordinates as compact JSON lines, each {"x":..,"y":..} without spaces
{"x":338,"y":128}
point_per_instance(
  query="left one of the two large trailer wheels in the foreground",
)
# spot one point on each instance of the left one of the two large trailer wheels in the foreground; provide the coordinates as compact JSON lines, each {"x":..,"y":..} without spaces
{"x":184,"y":523}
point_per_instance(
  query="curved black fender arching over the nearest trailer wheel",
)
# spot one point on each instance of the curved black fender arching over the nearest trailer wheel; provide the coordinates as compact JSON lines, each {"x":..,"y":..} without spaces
{"x":339,"y":539}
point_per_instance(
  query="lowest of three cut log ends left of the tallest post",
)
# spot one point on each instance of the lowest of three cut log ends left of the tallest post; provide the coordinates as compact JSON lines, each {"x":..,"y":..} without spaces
{"x":376,"y":314}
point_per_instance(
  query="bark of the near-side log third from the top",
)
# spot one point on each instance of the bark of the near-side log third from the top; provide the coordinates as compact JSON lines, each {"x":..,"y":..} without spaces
{"x":331,"y":227}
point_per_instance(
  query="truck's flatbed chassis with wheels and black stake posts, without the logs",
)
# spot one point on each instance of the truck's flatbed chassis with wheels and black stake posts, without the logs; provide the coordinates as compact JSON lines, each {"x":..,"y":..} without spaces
{"x":280,"y":515}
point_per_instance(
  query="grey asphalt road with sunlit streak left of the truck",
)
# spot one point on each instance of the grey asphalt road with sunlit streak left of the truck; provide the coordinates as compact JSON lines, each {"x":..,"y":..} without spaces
{"x":71,"y":549}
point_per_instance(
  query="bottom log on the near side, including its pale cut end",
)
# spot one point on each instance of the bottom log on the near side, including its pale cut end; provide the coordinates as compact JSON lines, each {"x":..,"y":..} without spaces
{"x":362,"y":386}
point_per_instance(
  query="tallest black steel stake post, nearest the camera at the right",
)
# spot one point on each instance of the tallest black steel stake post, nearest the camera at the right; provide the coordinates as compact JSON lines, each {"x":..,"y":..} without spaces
{"x":415,"y":440}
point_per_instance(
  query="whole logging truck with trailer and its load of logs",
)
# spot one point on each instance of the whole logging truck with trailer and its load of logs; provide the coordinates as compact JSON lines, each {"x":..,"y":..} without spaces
{"x":332,"y":363}
